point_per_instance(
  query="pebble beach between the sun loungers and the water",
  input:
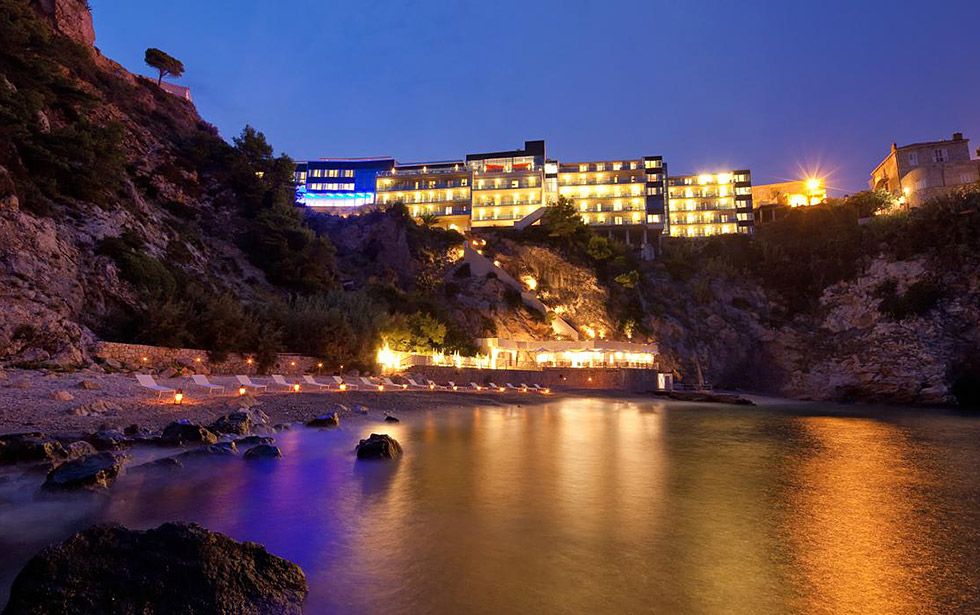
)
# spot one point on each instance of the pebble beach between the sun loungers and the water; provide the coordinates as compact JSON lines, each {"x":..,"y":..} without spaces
{"x":38,"y":401}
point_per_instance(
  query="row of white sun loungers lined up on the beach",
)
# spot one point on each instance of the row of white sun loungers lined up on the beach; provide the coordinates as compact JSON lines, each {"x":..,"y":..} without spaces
{"x":336,"y":383}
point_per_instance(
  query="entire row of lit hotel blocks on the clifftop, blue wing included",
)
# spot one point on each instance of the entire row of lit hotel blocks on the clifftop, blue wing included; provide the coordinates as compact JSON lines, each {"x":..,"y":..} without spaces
{"x":630,"y":198}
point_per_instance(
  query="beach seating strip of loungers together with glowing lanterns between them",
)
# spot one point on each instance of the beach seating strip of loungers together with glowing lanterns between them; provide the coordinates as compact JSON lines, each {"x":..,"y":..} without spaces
{"x":277,"y":383}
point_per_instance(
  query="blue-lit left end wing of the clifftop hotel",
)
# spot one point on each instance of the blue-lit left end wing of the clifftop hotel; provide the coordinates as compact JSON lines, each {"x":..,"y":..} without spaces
{"x":340,"y":185}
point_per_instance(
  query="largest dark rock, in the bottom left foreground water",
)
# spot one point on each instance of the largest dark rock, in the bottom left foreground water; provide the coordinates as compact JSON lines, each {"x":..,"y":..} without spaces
{"x":175,"y":568}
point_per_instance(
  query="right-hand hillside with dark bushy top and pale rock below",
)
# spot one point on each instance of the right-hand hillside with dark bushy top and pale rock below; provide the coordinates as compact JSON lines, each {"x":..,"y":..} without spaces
{"x":828,"y":305}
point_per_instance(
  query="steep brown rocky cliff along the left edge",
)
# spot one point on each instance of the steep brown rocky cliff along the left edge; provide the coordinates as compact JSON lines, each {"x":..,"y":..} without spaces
{"x":56,"y":208}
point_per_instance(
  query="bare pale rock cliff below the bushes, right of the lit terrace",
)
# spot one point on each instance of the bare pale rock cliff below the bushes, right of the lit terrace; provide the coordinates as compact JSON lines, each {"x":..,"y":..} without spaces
{"x":875,"y":338}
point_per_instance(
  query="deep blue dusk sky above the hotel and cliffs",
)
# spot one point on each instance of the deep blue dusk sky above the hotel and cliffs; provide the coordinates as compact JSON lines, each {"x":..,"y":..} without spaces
{"x":775,"y":86}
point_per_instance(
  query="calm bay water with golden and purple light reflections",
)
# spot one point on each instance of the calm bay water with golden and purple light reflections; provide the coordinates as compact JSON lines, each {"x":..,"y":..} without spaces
{"x":588,"y":505}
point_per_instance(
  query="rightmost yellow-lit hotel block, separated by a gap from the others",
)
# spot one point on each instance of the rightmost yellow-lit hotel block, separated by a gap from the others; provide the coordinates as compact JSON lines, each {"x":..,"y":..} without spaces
{"x":711,"y":204}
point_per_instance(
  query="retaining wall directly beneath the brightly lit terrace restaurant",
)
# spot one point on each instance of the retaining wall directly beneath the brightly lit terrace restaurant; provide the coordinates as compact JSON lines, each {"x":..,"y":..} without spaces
{"x":637,"y":380}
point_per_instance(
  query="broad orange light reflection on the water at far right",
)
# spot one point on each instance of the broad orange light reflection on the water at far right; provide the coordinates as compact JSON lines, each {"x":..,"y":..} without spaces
{"x":859,"y":536}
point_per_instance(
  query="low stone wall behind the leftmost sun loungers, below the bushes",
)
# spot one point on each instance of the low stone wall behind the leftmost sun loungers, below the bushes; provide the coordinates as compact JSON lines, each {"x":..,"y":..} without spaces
{"x":156,"y":358}
